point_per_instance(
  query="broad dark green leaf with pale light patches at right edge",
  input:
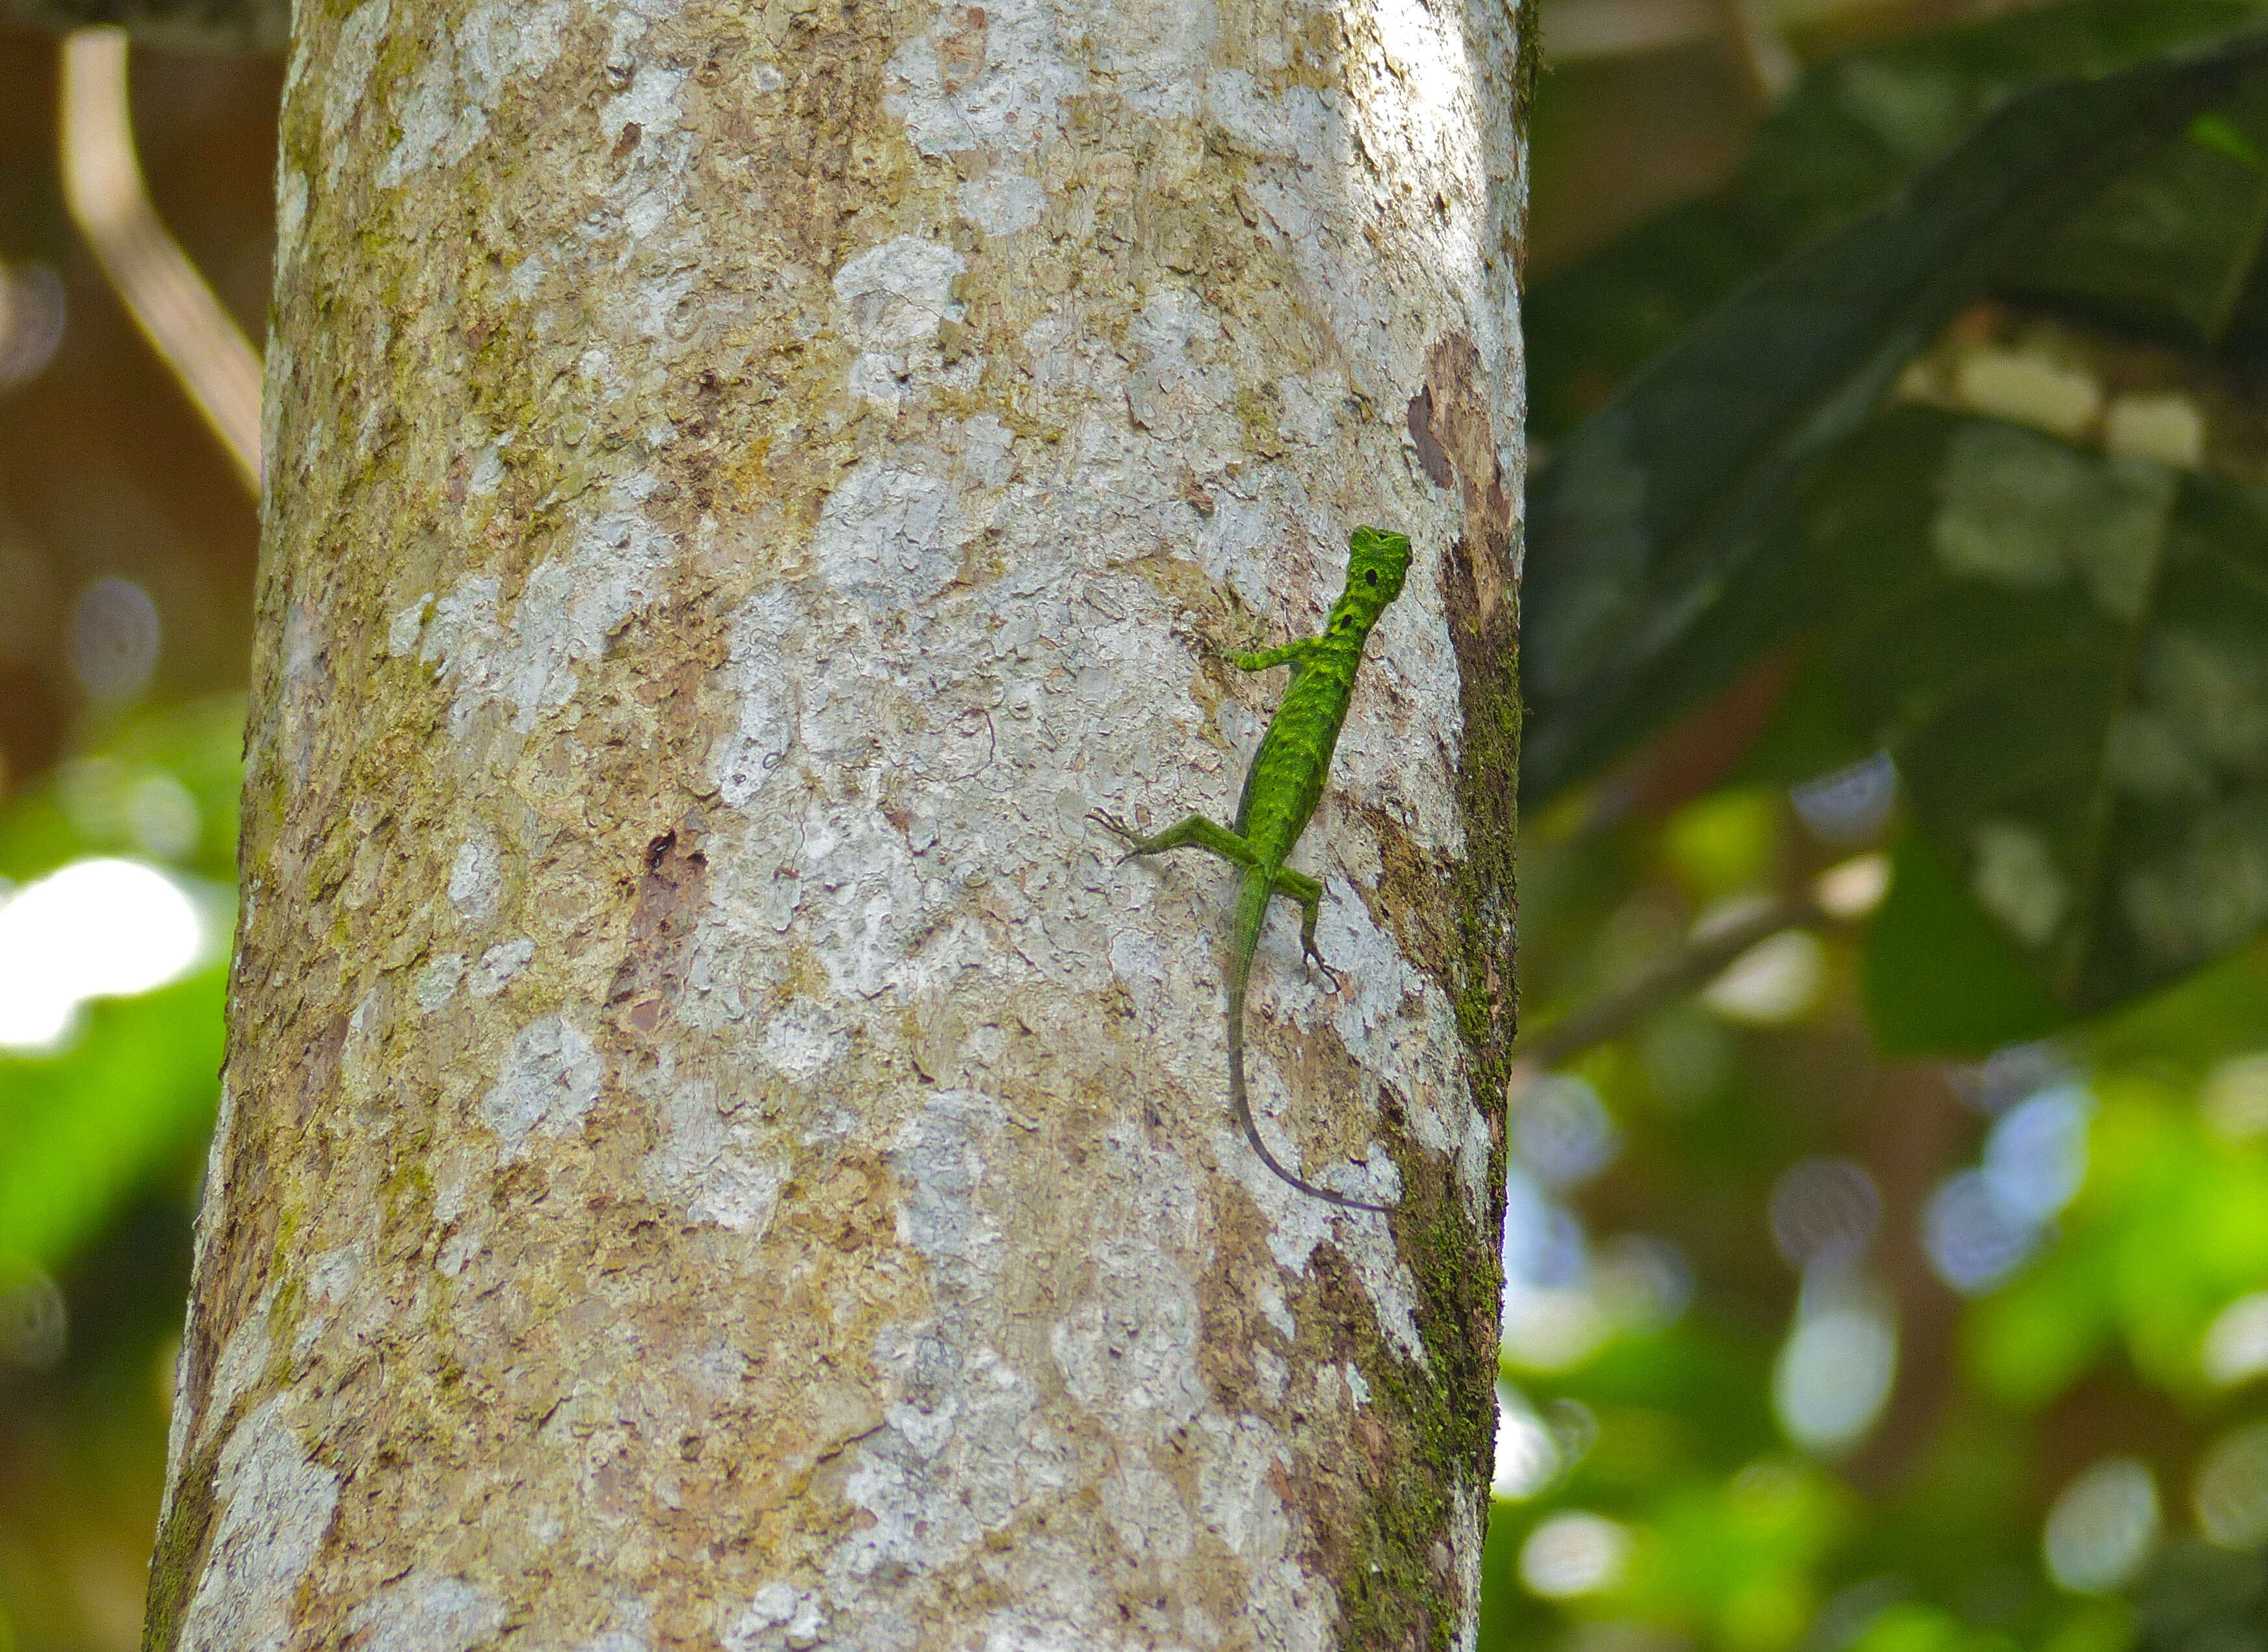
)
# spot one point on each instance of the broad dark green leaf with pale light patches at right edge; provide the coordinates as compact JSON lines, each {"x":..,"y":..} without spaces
{"x":2065,"y":652}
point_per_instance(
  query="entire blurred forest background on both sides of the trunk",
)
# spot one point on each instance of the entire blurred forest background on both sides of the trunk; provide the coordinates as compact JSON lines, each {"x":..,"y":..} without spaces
{"x":1888,"y":1249}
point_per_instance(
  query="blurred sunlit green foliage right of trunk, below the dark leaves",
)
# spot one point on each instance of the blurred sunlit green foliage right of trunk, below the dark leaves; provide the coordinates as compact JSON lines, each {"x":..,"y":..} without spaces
{"x":2099,"y":1340}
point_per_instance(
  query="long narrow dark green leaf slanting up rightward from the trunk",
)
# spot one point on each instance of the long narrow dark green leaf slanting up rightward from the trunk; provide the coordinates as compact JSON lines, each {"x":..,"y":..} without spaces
{"x":1657,"y":559}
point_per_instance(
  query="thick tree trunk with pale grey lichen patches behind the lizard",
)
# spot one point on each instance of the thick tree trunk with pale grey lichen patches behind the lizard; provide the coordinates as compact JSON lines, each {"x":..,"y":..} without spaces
{"x":716,"y":1152}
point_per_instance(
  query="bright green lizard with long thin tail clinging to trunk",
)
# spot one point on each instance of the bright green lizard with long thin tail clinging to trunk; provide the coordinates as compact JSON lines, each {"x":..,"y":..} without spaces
{"x":1283,"y":791}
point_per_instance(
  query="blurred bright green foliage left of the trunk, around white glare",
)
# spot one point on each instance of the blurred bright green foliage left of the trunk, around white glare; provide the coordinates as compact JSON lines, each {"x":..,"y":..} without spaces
{"x":101,"y":1147}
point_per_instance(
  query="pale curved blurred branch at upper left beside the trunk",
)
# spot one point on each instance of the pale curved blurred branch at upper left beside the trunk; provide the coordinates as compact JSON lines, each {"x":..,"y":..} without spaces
{"x":153,"y":278}
